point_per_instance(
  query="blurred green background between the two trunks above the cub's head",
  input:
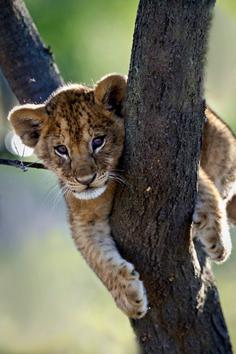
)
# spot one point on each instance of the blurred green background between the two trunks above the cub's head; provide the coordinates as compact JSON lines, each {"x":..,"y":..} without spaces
{"x":88,"y":38}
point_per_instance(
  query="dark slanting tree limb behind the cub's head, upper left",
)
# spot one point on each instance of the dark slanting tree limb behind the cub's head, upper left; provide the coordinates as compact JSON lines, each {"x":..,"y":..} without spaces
{"x":25,"y":61}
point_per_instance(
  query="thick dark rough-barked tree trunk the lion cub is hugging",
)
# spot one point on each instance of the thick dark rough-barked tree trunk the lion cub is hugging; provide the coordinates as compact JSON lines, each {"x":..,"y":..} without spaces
{"x":151,"y":219}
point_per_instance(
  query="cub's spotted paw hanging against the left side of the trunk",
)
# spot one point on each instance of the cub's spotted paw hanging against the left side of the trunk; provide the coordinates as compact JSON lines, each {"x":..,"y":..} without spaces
{"x":129,"y":292}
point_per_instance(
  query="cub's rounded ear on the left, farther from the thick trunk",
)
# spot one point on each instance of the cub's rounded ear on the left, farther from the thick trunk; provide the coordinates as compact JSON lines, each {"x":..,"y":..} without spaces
{"x":27,"y":121}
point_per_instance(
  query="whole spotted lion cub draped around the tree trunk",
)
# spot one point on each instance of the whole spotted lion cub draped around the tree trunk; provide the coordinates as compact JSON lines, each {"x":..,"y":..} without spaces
{"x":79,"y":135}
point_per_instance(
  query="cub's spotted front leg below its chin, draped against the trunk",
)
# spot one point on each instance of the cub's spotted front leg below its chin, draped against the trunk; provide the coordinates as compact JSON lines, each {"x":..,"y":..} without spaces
{"x":92,"y":238}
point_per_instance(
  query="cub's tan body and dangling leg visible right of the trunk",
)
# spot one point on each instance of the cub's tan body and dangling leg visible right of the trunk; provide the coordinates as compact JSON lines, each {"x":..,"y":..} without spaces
{"x":216,"y":188}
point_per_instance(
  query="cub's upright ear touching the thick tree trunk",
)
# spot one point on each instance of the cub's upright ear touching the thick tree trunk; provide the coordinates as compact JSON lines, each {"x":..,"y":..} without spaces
{"x":110,"y":91}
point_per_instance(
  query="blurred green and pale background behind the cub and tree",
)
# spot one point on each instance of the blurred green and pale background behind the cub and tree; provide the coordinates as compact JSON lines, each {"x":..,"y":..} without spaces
{"x":50,"y":301}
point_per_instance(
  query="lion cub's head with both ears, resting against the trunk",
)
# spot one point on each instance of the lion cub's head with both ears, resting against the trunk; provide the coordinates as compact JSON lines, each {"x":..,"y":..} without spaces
{"x":78,"y":133}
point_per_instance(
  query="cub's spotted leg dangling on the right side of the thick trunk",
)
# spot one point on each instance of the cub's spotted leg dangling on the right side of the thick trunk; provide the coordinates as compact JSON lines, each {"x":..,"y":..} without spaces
{"x":210,"y":223}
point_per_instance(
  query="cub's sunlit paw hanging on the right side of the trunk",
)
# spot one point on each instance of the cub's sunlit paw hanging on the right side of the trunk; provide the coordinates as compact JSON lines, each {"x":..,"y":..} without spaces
{"x":214,"y":235}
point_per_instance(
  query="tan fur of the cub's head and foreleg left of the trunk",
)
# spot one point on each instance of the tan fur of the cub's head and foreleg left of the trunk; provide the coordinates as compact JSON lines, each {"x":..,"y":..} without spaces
{"x":73,"y":116}
